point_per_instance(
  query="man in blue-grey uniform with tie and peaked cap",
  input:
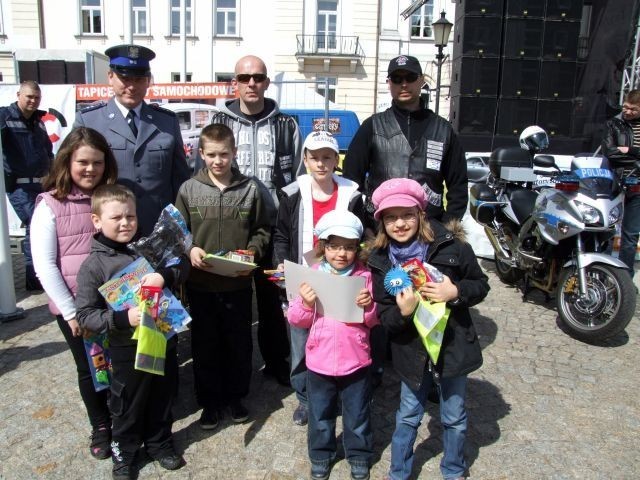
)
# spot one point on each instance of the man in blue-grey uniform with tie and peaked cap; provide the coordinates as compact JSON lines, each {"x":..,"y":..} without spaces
{"x":145,"y":139}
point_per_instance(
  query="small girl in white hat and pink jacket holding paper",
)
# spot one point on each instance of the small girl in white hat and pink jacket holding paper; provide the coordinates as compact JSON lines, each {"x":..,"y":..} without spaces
{"x":337,"y":354}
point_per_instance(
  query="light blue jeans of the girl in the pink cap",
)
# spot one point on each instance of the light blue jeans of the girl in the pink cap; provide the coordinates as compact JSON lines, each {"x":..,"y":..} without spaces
{"x":453,"y":417}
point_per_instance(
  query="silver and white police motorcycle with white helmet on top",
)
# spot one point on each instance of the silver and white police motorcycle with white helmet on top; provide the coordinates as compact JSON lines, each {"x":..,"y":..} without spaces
{"x":555,"y":237}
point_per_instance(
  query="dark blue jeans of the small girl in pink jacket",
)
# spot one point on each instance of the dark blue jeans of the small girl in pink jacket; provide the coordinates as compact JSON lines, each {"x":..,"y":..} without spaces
{"x":323,"y":392}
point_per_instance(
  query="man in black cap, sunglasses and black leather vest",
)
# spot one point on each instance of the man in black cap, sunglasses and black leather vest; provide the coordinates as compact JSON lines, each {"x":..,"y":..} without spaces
{"x":409,"y":141}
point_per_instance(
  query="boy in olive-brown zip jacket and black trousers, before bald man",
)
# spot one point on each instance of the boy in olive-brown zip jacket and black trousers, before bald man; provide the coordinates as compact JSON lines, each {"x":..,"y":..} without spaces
{"x":224,"y":211}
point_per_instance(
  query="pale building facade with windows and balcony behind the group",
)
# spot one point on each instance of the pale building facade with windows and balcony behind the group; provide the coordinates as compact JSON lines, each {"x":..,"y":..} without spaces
{"x":313,"y":49}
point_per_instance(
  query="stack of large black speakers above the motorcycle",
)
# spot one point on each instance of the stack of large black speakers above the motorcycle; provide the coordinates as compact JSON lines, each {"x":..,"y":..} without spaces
{"x":553,"y":63}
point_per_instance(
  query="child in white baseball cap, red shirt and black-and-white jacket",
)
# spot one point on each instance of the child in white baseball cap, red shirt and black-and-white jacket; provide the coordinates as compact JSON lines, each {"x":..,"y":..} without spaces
{"x":302,"y":204}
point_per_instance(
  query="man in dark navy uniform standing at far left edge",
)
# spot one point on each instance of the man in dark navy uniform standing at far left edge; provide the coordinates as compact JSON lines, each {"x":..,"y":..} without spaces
{"x":27,"y":153}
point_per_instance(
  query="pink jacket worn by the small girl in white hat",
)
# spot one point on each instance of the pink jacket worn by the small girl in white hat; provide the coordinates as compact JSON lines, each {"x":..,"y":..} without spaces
{"x":335,"y":348}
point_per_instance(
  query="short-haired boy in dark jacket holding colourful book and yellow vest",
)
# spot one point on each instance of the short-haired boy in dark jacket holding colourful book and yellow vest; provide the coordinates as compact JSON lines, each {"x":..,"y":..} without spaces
{"x":140,"y":402}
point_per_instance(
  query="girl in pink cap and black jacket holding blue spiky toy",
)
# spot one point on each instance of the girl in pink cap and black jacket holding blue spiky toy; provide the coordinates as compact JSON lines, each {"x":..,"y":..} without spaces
{"x":405,"y":234}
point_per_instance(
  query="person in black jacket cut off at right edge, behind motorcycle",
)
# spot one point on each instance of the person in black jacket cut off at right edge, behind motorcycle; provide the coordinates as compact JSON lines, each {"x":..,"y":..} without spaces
{"x":621,"y":145}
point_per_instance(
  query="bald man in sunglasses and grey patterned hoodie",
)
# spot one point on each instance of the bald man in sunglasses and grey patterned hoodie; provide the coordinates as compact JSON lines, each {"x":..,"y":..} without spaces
{"x":269,"y":149}
